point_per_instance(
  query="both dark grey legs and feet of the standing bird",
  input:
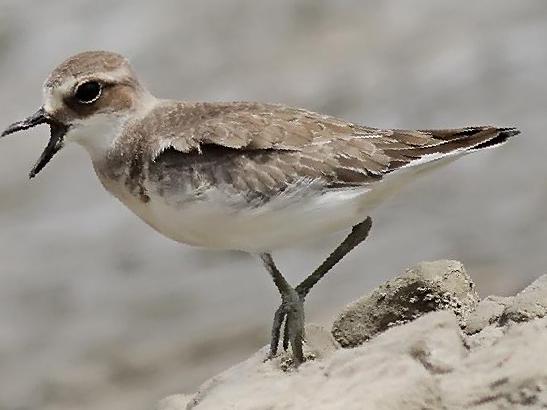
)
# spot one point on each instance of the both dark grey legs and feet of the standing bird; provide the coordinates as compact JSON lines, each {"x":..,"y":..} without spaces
{"x":292,"y":299}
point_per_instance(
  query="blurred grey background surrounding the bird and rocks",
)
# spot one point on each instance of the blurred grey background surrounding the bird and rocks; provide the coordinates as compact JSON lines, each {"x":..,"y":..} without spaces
{"x":97,"y":311}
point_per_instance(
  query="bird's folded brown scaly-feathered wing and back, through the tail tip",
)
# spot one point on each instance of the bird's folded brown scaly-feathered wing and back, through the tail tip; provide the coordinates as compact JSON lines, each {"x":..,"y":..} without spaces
{"x":265,"y":147}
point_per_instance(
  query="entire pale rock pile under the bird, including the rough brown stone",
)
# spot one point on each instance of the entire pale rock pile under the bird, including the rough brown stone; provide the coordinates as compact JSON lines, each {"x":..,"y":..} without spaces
{"x":421,"y":341}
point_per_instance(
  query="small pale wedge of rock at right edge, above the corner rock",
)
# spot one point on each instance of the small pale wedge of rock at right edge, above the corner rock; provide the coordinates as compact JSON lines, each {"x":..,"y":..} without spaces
{"x":529,"y":304}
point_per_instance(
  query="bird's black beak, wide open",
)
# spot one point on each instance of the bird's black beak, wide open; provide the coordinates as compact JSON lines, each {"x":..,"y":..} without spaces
{"x":57,"y":132}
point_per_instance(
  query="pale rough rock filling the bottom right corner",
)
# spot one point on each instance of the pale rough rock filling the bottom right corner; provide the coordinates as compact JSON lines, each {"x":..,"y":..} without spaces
{"x":510,"y":374}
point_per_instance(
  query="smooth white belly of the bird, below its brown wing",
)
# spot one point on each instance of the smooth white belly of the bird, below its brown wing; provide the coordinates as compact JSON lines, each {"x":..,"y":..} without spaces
{"x":279,"y":223}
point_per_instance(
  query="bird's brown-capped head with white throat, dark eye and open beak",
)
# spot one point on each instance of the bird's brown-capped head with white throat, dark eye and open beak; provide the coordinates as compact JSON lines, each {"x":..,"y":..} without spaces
{"x":86,"y":99}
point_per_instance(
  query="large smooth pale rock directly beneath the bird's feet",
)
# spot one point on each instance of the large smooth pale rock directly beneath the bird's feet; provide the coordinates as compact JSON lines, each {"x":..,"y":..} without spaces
{"x":400,"y":367}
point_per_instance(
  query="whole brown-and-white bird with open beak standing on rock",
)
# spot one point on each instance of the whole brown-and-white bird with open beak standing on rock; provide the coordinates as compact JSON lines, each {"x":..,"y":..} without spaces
{"x":237,"y":175}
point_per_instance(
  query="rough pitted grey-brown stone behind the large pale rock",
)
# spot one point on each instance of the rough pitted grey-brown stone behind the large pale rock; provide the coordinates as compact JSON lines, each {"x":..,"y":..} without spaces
{"x":427,"y":287}
